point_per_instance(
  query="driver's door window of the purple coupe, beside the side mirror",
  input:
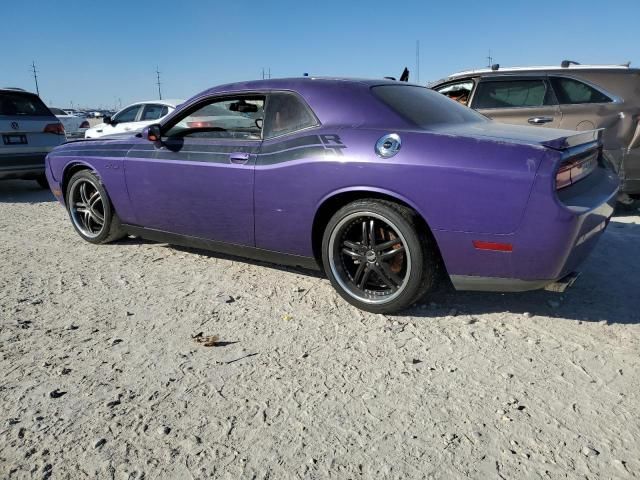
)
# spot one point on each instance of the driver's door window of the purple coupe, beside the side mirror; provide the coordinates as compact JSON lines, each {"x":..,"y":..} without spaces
{"x":235,"y":118}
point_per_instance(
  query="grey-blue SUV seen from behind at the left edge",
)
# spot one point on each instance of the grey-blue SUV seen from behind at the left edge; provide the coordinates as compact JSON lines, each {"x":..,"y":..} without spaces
{"x":29,"y":131}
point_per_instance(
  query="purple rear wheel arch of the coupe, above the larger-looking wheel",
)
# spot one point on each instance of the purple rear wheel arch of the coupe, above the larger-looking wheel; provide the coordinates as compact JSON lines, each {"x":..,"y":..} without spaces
{"x":332,"y":202}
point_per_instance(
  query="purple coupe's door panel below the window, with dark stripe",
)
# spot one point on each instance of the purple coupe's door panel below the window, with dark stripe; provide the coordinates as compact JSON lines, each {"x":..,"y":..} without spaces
{"x":192,"y":188}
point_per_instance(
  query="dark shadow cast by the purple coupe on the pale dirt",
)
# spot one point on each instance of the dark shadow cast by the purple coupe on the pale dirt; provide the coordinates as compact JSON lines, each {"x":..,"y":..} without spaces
{"x":608,"y":288}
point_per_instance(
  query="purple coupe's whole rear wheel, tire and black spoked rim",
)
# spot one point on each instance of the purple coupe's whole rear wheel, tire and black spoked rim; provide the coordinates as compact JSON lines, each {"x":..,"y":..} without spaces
{"x":398,"y":276}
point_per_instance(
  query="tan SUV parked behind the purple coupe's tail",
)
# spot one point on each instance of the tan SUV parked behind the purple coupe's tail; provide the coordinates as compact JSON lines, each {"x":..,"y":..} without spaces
{"x":569,"y":96}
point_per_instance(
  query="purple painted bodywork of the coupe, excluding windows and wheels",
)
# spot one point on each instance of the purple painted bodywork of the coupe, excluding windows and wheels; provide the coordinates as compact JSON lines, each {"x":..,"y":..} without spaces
{"x":469,"y":181}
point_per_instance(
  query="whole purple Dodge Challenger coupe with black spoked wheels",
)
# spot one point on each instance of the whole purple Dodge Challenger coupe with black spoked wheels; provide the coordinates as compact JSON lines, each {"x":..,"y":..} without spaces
{"x":381,"y":184}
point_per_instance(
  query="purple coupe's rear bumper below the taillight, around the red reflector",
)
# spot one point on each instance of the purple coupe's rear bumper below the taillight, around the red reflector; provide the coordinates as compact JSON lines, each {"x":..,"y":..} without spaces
{"x":557,"y":234}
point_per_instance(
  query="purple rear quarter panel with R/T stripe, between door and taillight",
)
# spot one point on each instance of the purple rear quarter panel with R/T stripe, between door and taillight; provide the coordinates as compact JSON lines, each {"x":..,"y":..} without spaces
{"x":476,"y":179}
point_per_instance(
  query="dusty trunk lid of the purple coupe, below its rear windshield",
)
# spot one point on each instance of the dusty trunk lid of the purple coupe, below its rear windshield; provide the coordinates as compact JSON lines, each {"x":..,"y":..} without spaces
{"x":546,"y":137}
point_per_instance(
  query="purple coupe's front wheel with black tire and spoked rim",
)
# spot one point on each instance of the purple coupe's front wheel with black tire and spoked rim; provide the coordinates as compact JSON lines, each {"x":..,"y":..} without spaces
{"x":90,"y":209}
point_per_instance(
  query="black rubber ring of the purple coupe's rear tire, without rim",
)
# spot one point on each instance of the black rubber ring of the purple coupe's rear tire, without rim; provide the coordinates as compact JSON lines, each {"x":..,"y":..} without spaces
{"x":414,"y":244}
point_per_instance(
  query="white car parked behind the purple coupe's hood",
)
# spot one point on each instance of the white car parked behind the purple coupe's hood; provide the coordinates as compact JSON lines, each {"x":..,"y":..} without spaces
{"x":133,"y":118}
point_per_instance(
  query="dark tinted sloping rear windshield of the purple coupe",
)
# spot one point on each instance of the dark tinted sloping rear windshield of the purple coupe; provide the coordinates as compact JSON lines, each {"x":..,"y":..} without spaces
{"x":424,"y":107}
